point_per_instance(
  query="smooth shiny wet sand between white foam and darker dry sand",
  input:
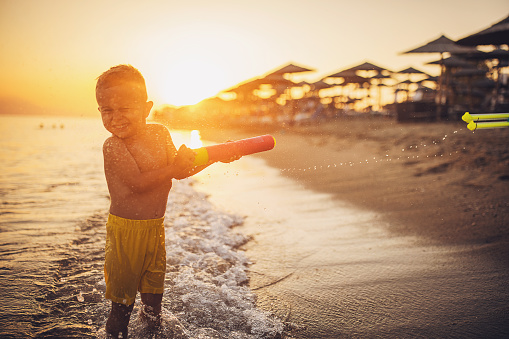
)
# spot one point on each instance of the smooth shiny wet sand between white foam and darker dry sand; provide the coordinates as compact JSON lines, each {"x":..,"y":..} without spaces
{"x":334,"y":271}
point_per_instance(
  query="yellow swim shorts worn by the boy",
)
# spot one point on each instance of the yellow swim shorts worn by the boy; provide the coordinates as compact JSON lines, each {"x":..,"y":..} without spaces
{"x":135,"y":258}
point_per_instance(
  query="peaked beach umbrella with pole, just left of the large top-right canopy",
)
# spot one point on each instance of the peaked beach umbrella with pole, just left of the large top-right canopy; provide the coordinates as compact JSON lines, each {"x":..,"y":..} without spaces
{"x":441,"y":45}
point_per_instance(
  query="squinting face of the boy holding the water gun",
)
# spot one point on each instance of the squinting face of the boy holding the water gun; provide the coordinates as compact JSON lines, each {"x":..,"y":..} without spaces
{"x":123,"y":108}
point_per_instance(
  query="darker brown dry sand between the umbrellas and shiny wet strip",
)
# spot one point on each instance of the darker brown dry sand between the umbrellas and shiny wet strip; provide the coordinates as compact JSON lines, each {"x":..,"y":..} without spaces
{"x":437,"y":181}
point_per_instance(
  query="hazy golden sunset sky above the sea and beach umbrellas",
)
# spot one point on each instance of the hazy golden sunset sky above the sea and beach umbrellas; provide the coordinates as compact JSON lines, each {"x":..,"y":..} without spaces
{"x":52,"y":51}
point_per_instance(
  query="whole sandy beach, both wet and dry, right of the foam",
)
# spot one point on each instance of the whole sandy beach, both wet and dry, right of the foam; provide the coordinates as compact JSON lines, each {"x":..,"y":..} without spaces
{"x":419,"y":249}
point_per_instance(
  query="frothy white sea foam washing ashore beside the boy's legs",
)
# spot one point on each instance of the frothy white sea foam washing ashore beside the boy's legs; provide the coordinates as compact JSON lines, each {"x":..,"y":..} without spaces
{"x":206,"y":292}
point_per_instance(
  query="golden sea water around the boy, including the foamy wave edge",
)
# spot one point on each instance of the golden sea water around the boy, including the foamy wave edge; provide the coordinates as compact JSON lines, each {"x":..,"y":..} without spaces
{"x":54,"y":203}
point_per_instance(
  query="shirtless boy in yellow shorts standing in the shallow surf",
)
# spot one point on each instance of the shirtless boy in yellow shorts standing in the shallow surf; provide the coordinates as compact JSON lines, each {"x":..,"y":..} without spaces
{"x":140,"y":162}
